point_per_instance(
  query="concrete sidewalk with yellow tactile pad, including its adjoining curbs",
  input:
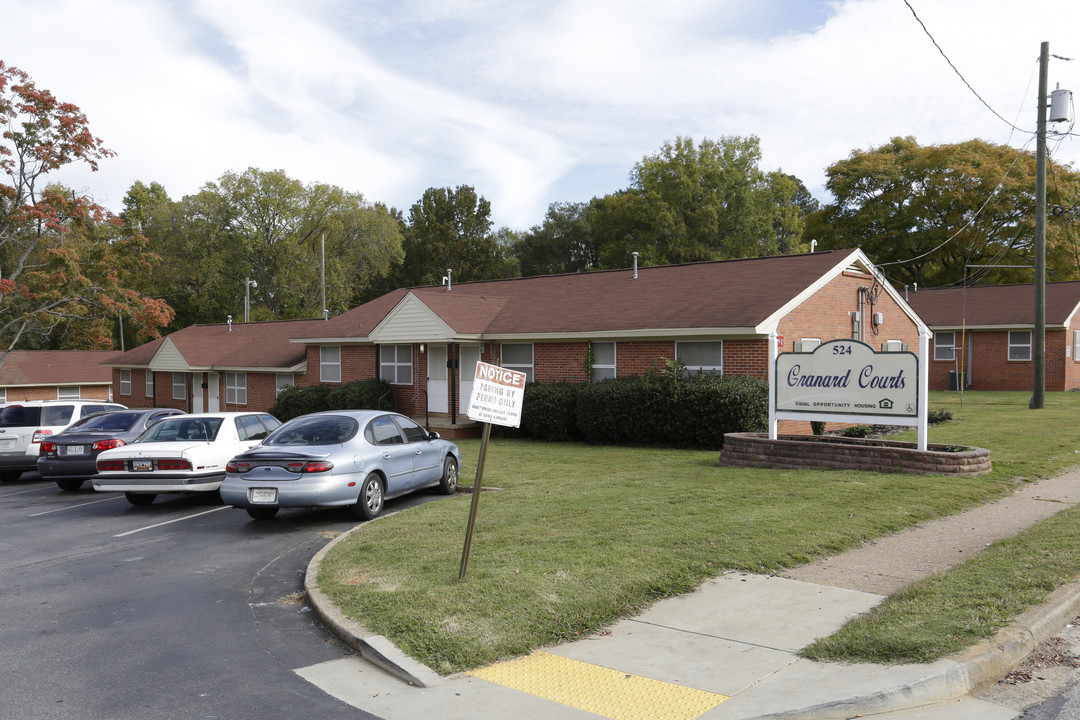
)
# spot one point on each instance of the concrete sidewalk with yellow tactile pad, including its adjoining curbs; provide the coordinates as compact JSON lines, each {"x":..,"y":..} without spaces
{"x":727,"y":651}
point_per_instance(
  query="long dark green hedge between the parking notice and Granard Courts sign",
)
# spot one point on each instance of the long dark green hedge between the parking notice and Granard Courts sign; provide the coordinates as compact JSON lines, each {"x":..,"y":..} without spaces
{"x":665,"y":410}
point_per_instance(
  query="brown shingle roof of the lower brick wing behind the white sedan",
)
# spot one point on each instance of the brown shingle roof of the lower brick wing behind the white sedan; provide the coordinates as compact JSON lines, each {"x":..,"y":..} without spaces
{"x":246,"y":346}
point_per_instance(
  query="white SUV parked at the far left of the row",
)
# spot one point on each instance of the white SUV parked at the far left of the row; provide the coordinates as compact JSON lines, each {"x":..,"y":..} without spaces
{"x":23,"y":426}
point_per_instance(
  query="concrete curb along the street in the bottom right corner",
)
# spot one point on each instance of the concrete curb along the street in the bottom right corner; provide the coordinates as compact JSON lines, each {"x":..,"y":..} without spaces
{"x":977,"y":669}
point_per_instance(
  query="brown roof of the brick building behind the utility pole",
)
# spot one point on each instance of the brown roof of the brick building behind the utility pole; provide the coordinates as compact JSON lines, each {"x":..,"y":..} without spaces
{"x":993,"y":306}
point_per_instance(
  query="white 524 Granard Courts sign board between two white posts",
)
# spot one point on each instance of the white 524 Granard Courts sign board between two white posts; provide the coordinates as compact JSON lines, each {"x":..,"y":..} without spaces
{"x":848,"y":377}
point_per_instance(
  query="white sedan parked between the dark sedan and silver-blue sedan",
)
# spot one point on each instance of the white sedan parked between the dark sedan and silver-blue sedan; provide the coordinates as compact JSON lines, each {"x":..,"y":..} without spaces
{"x":183,"y":454}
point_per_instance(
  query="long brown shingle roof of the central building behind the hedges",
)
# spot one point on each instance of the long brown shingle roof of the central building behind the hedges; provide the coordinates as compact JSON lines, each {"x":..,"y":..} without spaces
{"x":728,"y":294}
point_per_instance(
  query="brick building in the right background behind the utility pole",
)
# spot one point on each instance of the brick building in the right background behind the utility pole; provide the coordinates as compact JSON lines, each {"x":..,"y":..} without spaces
{"x":984,"y":336}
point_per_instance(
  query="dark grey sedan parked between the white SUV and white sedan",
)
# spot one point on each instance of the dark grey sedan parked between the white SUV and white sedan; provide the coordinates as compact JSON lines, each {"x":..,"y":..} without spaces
{"x":71,"y":458}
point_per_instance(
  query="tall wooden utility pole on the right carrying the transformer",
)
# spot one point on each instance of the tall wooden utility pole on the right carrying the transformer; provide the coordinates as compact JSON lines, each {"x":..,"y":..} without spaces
{"x":1039,"y":339}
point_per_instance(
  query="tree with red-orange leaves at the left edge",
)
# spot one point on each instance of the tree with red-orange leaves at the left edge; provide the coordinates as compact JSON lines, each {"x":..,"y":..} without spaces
{"x":64,"y":260}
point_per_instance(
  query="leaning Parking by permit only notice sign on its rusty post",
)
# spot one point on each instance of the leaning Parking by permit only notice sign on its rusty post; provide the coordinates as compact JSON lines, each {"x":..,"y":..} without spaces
{"x":496,"y":399}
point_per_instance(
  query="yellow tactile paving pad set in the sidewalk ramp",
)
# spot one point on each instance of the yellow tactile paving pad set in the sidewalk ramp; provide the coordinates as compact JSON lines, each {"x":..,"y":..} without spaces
{"x":600,"y":690}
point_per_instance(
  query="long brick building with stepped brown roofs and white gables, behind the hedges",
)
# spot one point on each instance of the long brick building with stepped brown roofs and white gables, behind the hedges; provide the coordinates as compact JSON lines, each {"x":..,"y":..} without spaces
{"x":584,"y":328}
